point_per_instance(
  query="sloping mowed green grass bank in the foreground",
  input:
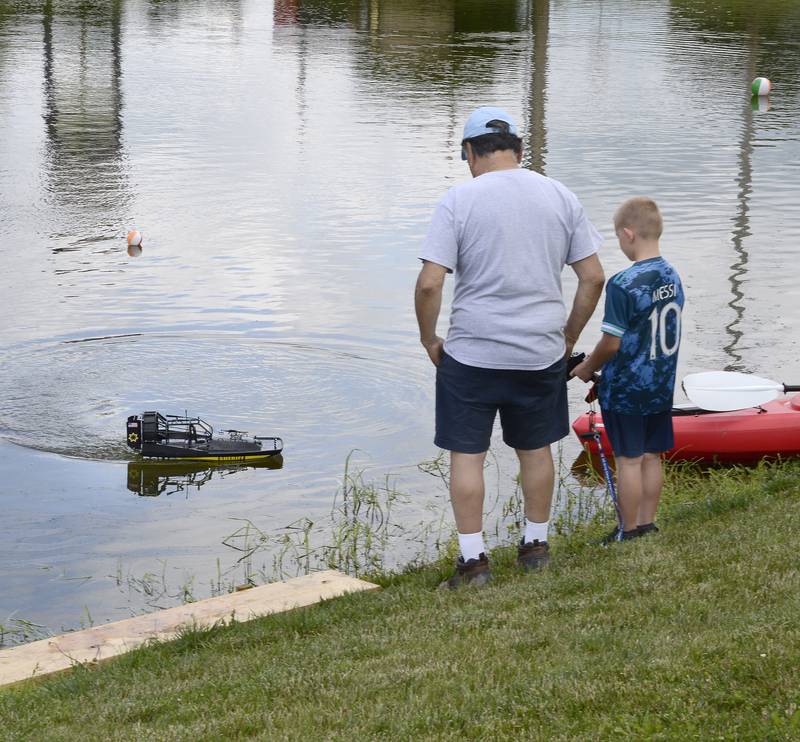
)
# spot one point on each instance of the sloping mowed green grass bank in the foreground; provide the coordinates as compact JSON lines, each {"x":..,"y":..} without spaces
{"x":690,"y":634}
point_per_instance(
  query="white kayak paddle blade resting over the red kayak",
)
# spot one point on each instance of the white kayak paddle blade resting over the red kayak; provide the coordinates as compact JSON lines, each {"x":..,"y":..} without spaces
{"x":722,"y":391}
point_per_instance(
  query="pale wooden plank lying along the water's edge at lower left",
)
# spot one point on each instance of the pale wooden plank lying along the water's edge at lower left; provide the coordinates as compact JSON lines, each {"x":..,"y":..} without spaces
{"x":109,"y":640}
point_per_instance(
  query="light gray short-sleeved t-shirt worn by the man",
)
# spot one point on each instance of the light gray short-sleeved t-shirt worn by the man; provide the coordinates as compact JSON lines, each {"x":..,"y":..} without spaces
{"x":507,"y":235}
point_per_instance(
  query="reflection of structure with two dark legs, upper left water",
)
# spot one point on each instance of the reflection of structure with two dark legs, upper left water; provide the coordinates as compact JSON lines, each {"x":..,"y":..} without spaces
{"x":84,"y":155}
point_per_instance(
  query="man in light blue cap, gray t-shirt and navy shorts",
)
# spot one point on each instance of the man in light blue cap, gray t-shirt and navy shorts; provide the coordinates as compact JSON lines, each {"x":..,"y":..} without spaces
{"x":506,"y":235}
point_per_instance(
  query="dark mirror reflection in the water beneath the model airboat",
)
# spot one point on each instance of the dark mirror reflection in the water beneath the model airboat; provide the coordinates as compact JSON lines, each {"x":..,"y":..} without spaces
{"x":151,"y":479}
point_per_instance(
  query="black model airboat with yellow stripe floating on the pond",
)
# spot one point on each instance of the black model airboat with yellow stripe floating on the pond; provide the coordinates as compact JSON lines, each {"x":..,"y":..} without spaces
{"x":177,"y":437}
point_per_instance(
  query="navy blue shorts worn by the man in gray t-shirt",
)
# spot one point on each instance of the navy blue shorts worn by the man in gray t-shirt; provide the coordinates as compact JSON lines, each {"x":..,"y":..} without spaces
{"x":532,"y":405}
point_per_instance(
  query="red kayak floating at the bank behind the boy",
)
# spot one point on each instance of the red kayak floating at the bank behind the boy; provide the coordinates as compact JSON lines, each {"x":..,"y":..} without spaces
{"x":771,"y":430}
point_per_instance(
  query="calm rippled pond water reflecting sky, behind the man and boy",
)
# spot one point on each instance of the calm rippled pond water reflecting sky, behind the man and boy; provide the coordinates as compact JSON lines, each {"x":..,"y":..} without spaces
{"x":282,"y":162}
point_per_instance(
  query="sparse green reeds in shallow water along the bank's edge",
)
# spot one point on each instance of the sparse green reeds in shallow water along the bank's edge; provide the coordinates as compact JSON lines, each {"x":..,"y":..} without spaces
{"x":365,"y":533}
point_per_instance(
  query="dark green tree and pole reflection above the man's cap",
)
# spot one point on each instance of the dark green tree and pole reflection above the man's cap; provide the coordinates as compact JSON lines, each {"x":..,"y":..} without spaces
{"x":447,"y":51}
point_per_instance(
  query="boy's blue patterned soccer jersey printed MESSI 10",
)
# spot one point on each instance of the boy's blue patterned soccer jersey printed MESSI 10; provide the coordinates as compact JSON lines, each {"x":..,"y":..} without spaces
{"x":643,"y":308}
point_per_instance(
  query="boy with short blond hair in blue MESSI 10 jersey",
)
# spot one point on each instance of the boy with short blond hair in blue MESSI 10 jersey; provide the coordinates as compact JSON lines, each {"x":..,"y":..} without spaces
{"x":638,"y":354}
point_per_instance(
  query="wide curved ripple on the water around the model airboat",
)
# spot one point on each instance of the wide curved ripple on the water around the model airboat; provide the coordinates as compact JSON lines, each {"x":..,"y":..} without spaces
{"x":73,"y":397}
